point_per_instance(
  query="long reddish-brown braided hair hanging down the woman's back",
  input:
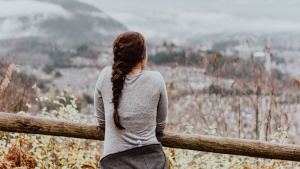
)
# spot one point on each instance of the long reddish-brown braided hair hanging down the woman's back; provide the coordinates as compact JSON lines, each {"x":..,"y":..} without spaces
{"x":129,"y":49}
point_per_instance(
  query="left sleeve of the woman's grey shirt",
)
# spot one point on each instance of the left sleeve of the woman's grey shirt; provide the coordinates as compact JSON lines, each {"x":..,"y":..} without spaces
{"x":98,"y":100}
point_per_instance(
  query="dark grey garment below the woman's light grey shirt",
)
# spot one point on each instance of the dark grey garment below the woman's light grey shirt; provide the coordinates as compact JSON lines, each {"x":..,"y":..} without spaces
{"x":145,"y":157}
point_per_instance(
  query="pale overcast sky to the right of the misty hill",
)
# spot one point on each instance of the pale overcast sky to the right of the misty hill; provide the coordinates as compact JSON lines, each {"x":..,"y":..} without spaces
{"x":166,"y":18}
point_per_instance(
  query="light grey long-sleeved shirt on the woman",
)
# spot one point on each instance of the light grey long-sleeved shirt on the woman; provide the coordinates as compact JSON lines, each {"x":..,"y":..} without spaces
{"x":142,"y":109}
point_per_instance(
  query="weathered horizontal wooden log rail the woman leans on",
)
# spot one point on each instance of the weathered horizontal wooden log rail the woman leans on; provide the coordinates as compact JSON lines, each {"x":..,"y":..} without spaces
{"x":253,"y":148}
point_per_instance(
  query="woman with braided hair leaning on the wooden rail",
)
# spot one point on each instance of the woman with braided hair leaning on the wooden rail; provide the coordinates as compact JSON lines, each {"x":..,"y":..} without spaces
{"x":131,"y":105}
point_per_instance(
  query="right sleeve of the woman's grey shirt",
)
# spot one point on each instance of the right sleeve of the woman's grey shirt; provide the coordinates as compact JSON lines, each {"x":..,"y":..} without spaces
{"x":162,"y":107}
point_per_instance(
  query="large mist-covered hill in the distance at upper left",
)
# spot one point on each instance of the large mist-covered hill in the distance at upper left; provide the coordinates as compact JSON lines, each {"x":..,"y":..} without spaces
{"x":64,"y":22}
